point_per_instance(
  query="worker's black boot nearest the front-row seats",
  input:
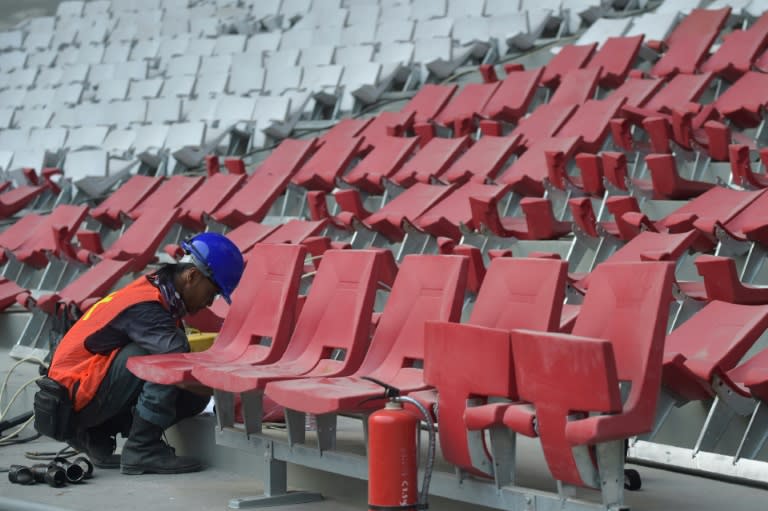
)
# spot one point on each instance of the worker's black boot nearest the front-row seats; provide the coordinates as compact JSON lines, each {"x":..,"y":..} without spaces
{"x":145,"y":452}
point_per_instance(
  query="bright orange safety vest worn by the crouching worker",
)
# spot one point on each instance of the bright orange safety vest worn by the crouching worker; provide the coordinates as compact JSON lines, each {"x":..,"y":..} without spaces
{"x":76,"y":368}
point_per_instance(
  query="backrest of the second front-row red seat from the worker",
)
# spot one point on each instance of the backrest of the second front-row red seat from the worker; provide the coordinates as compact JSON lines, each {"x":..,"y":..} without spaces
{"x":345,"y":281}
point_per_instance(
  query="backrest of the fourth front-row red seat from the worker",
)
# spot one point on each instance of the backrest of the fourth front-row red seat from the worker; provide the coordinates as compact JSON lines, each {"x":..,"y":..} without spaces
{"x":521,"y":293}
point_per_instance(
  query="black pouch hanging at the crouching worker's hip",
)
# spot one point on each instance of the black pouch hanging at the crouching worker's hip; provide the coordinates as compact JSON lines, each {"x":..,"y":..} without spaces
{"x":54,"y":411}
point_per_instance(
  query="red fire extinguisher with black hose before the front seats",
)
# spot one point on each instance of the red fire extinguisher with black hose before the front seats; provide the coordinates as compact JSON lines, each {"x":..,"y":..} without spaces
{"x":393,"y":455}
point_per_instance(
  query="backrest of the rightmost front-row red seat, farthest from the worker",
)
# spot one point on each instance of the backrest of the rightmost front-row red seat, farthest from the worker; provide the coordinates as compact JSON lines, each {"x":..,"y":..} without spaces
{"x":628,"y":305}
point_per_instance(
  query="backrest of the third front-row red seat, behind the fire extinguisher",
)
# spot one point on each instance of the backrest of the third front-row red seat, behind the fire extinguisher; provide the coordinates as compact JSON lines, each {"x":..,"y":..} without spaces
{"x":427,"y":288}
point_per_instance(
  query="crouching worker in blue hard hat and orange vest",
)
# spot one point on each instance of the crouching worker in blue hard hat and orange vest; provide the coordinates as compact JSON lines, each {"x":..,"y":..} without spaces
{"x":89,"y":365}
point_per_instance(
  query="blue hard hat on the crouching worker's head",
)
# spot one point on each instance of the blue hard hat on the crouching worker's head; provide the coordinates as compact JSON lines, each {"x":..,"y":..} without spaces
{"x":218,"y":258}
